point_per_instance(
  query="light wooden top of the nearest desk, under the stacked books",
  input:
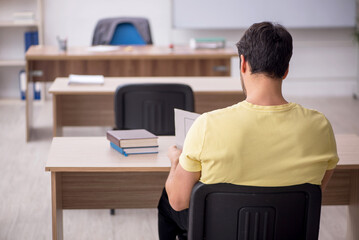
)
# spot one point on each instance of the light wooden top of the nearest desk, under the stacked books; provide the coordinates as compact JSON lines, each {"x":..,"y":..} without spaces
{"x":94,"y":154}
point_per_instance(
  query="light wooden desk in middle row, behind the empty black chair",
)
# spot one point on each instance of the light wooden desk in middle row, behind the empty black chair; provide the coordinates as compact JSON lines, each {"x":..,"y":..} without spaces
{"x":93,"y":105}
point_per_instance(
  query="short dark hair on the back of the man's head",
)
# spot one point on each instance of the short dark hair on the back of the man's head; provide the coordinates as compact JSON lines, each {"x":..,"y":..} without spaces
{"x":267,"y":47}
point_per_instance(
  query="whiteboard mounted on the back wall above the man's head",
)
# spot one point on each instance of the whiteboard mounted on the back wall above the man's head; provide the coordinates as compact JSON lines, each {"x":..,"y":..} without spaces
{"x":232,"y":14}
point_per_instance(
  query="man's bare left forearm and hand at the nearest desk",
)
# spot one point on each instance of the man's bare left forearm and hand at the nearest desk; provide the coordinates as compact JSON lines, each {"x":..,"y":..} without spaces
{"x":180,"y":182}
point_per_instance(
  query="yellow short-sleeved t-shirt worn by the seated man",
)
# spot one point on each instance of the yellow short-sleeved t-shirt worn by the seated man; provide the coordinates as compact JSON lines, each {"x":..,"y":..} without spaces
{"x":253,"y":145}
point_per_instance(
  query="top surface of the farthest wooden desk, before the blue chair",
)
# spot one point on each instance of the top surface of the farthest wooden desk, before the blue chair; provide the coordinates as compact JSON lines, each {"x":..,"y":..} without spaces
{"x":40,"y":52}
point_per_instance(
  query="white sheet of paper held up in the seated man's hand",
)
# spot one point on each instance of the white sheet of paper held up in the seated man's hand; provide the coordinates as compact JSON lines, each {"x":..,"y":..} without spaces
{"x":183,"y":122}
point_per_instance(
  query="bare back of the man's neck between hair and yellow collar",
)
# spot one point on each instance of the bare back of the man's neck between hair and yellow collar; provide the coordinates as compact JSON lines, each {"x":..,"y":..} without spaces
{"x":265,"y":91}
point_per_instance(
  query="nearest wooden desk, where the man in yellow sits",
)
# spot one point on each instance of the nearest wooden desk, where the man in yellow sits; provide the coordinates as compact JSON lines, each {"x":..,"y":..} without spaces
{"x":87,"y":174}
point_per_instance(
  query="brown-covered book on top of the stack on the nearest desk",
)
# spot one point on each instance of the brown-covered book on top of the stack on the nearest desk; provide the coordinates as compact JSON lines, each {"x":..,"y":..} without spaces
{"x":132,"y":138}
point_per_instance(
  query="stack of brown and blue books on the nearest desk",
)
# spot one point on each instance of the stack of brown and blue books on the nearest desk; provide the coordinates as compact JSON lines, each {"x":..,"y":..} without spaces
{"x":128,"y":142}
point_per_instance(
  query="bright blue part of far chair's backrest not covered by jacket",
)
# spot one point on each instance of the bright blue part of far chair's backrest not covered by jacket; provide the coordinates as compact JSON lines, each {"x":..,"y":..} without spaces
{"x":126,"y":34}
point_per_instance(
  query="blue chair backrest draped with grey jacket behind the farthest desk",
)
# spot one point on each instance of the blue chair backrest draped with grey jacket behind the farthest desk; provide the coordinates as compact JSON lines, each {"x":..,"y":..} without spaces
{"x":122,"y":30}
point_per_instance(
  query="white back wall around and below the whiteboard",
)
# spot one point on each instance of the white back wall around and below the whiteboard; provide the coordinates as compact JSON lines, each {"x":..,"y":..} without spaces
{"x":324,"y":60}
